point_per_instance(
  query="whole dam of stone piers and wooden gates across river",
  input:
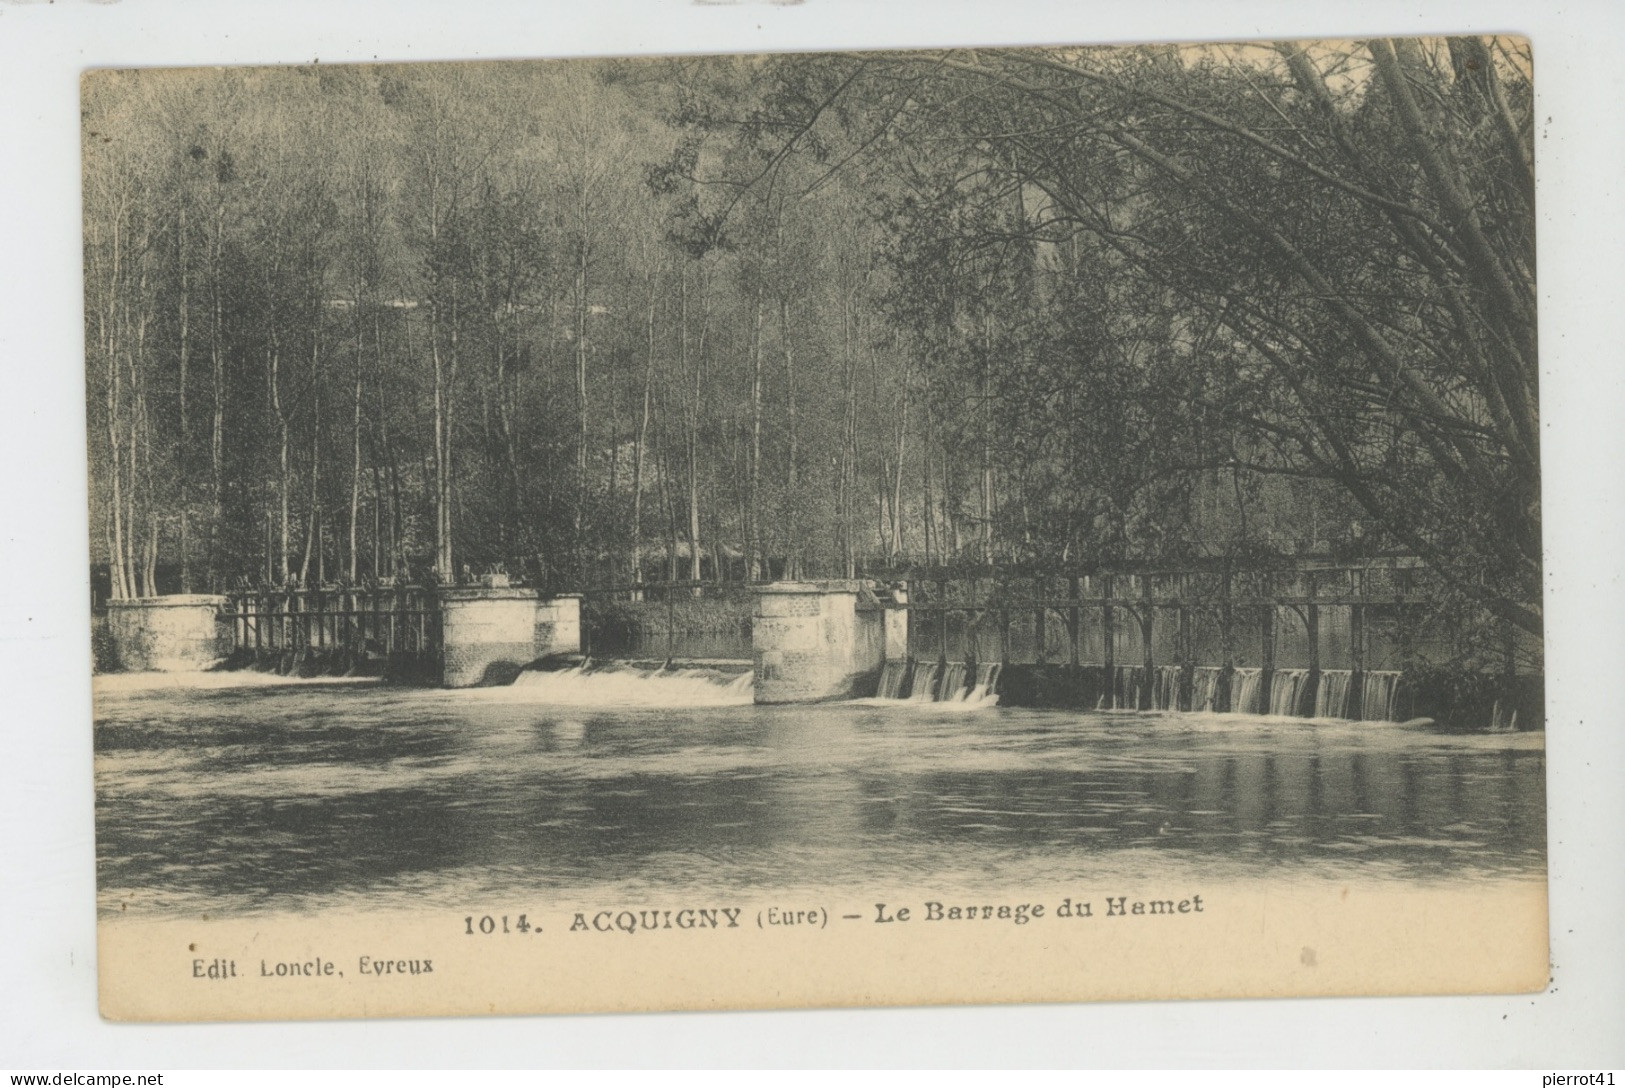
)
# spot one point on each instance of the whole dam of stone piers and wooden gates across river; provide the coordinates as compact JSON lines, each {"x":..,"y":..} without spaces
{"x":1309,"y":641}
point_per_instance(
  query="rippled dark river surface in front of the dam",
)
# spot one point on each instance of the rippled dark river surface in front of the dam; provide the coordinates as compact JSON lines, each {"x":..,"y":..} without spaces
{"x":308,"y":797}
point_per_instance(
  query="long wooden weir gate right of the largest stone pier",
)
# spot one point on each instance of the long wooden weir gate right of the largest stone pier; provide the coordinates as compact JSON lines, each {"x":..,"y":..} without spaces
{"x":1307,"y":637}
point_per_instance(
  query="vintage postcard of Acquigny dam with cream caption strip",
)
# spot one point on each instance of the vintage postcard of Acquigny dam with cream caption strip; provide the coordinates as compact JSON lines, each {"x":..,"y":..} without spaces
{"x":986,"y":525}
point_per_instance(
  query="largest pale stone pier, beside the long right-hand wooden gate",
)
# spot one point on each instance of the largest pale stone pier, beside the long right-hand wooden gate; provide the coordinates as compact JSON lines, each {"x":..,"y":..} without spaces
{"x":815,"y":642}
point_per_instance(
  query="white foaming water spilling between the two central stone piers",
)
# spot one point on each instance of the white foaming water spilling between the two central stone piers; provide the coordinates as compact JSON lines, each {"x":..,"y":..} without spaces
{"x":626,"y":686}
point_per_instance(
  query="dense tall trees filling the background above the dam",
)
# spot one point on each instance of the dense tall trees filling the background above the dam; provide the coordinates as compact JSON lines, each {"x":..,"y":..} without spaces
{"x":743,"y":317}
